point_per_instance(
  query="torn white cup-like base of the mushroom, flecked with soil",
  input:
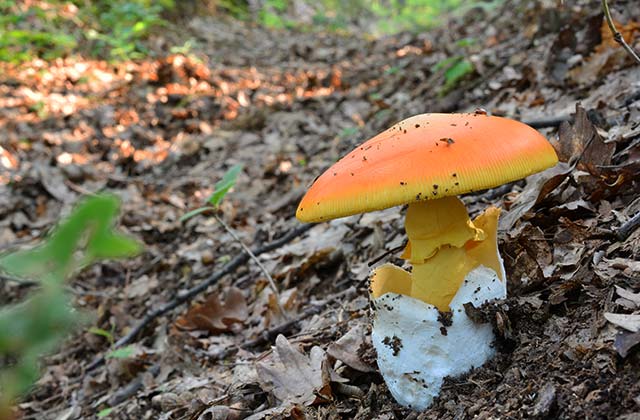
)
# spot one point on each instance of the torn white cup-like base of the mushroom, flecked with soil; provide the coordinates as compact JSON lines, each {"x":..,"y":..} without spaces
{"x":415,"y":355}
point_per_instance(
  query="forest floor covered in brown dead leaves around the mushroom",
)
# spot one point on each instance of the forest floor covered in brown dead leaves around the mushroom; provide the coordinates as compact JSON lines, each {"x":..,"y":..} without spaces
{"x":159,"y":133}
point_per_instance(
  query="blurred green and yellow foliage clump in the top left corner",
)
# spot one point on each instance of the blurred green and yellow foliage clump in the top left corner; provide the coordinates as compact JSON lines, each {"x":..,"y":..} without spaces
{"x":55,"y":28}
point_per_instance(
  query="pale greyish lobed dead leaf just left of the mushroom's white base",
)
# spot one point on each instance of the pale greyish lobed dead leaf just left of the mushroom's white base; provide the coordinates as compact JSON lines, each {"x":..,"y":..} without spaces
{"x":294,"y":377}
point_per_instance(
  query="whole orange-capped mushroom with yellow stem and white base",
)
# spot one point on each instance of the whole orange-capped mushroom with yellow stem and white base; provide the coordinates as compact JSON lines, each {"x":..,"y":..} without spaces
{"x":420,"y":330}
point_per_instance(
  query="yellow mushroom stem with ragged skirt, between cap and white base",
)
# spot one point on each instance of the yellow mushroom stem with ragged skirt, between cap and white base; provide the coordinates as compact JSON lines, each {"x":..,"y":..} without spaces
{"x":444,"y":246}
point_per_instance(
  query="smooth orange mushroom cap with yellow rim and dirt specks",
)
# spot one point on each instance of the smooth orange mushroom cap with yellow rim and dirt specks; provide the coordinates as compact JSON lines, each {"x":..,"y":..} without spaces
{"x":425,"y":157}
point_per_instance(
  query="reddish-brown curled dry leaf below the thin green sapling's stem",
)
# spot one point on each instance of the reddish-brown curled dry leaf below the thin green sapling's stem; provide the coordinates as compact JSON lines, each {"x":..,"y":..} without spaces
{"x":214,"y":316}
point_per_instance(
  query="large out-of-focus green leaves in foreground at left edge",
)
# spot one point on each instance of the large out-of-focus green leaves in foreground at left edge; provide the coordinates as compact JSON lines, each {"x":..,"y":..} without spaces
{"x":35,"y":326}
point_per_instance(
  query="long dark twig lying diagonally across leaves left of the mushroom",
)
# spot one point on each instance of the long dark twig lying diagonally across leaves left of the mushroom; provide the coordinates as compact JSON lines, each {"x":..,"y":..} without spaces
{"x":194,"y":291}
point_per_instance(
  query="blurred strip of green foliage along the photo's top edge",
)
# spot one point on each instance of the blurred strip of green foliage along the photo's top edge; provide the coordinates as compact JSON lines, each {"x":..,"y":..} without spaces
{"x":118,"y":29}
